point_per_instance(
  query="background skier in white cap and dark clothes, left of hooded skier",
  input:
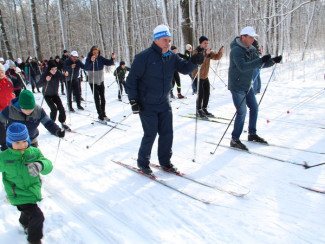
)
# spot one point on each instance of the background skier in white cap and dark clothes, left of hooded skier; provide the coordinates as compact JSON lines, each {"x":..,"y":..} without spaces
{"x":73,"y":66}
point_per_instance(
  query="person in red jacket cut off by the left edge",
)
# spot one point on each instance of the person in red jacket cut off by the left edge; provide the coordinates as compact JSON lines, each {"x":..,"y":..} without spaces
{"x":6,"y":94}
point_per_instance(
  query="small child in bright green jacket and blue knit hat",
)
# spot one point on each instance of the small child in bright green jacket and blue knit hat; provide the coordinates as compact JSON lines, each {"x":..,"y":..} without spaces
{"x":20,"y":165}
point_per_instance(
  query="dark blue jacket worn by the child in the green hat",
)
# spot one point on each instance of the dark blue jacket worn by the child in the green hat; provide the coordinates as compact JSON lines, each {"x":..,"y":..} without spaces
{"x":13,"y":113}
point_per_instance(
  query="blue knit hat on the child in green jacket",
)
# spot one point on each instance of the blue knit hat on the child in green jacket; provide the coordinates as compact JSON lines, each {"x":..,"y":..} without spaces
{"x":17,"y":132}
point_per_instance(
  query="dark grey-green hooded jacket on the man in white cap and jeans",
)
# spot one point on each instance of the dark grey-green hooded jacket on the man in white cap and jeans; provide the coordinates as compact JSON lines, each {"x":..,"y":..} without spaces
{"x":243,"y":61}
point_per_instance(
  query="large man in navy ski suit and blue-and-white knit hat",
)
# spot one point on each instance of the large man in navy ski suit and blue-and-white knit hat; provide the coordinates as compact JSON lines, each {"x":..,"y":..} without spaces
{"x":148,"y":85}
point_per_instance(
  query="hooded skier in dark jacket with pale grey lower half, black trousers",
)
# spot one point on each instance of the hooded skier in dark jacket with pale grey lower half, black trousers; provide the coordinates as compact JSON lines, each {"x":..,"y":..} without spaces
{"x":95,"y":66}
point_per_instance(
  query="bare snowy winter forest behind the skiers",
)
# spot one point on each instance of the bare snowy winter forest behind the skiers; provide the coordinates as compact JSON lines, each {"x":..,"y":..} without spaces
{"x":43,"y":28}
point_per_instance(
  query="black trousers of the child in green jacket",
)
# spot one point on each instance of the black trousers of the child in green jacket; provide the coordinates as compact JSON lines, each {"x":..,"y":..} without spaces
{"x":32,"y":219}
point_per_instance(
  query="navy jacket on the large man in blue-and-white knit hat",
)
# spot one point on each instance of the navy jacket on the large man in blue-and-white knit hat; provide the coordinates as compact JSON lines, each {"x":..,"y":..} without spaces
{"x":149,"y":80}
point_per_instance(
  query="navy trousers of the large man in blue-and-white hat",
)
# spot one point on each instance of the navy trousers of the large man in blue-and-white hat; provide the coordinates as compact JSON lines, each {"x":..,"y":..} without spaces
{"x":156,"y":119}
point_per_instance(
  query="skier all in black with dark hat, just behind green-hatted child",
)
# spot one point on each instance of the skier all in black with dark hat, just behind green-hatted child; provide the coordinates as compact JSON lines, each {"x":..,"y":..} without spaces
{"x":50,"y":81}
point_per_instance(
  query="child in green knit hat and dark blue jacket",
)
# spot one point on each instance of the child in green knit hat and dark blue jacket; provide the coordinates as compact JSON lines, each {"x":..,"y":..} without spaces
{"x":23,"y":109}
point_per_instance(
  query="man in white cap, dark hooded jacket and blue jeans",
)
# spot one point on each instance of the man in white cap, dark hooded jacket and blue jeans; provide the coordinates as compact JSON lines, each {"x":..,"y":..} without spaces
{"x":243,"y":60}
